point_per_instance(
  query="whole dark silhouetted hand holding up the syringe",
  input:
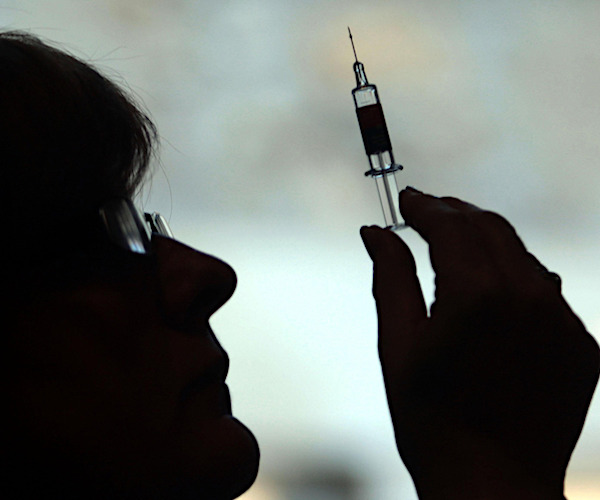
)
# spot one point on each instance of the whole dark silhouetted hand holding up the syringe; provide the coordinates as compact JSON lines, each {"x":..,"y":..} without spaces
{"x":489,"y":391}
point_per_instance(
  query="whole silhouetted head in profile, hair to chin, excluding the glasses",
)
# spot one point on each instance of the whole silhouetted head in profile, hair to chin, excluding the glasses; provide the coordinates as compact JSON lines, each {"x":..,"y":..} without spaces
{"x":116,"y":381}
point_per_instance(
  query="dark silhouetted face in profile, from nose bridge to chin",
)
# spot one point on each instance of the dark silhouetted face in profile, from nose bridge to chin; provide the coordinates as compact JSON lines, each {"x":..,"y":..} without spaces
{"x":120,"y":381}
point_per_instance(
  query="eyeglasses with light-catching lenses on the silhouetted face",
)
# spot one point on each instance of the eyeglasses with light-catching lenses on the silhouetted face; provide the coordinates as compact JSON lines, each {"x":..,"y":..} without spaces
{"x":131,"y":229}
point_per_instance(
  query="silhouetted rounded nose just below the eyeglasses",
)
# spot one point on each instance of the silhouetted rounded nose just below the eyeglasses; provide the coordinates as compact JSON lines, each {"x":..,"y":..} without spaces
{"x":193,"y":285}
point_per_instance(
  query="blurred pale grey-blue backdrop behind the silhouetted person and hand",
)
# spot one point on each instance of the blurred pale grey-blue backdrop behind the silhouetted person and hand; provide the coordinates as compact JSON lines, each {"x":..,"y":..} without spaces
{"x":262,"y":164}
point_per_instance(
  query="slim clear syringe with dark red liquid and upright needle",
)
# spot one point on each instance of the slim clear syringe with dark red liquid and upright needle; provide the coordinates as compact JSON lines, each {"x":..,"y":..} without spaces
{"x":377,"y":144}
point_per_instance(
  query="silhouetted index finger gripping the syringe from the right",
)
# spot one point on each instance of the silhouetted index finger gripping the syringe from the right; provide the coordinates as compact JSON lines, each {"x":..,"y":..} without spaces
{"x":459,"y":254}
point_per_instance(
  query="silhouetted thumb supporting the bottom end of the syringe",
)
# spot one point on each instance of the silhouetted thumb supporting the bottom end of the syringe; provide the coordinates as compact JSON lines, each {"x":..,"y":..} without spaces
{"x":397,"y":291}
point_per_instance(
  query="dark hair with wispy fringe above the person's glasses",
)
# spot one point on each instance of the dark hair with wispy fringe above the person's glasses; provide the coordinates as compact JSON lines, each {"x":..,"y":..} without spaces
{"x":69,"y":138}
